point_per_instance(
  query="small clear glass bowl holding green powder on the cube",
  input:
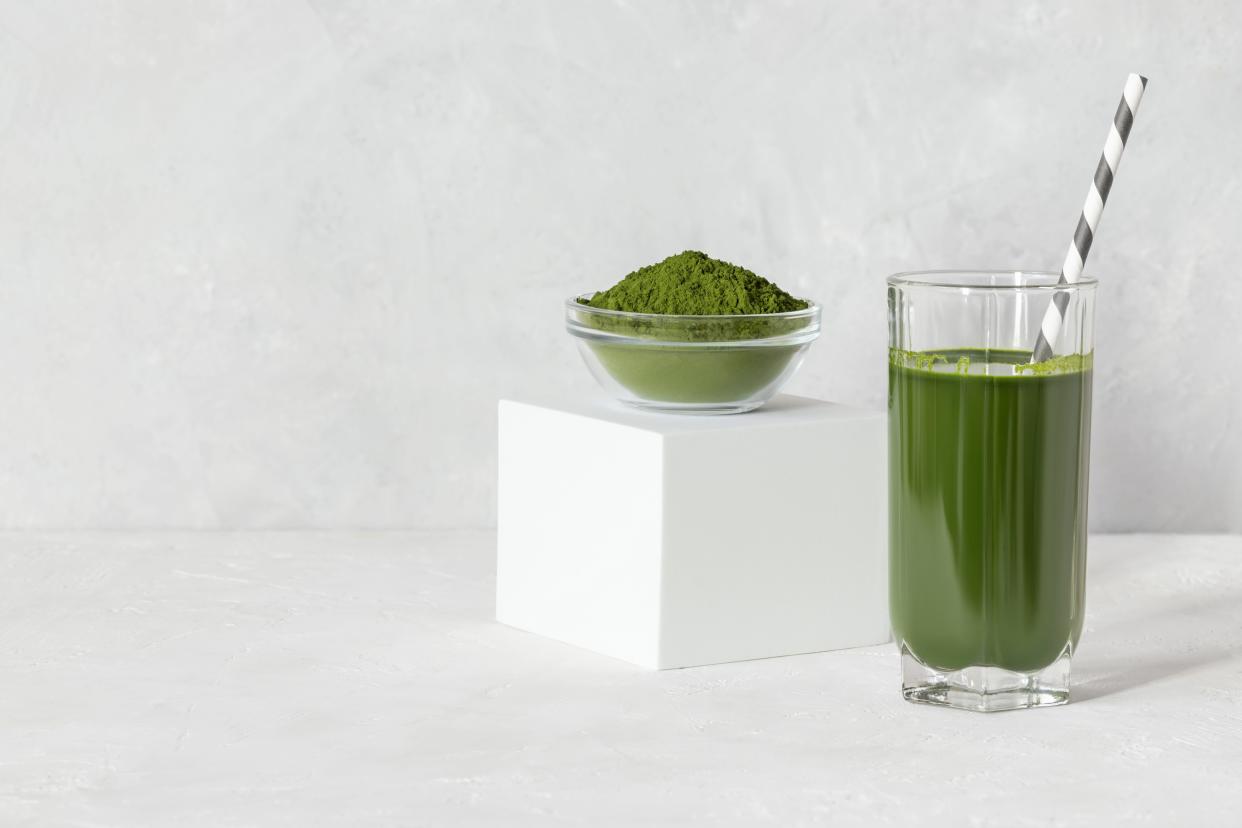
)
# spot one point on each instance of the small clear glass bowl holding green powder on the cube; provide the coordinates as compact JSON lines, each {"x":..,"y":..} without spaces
{"x":715,"y":364}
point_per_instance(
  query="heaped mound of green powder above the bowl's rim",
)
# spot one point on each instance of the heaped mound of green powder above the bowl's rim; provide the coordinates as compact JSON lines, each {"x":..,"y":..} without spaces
{"x":696,"y":284}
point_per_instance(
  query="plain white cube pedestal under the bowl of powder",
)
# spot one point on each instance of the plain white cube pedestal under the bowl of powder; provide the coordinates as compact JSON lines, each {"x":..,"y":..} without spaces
{"x":674,"y":541}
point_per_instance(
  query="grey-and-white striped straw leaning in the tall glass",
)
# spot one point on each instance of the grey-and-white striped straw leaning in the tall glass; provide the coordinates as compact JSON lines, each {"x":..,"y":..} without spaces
{"x":1090,"y":219}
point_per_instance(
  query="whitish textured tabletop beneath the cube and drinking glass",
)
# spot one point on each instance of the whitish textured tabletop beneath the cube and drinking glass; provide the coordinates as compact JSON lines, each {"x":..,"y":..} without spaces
{"x":292,"y":680}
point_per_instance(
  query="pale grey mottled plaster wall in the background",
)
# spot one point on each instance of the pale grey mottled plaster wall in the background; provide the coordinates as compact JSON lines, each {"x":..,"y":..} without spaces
{"x":271,"y":264}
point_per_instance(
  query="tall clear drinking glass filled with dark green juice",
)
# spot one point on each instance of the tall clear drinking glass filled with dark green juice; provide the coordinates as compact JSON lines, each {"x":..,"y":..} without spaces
{"x":988,"y":486}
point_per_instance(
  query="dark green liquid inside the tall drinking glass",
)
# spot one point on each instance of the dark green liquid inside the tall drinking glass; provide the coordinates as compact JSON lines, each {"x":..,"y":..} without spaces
{"x":988,"y":507}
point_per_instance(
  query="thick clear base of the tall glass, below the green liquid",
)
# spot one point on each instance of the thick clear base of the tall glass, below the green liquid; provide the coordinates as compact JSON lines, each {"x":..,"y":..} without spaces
{"x":986,"y":690}
